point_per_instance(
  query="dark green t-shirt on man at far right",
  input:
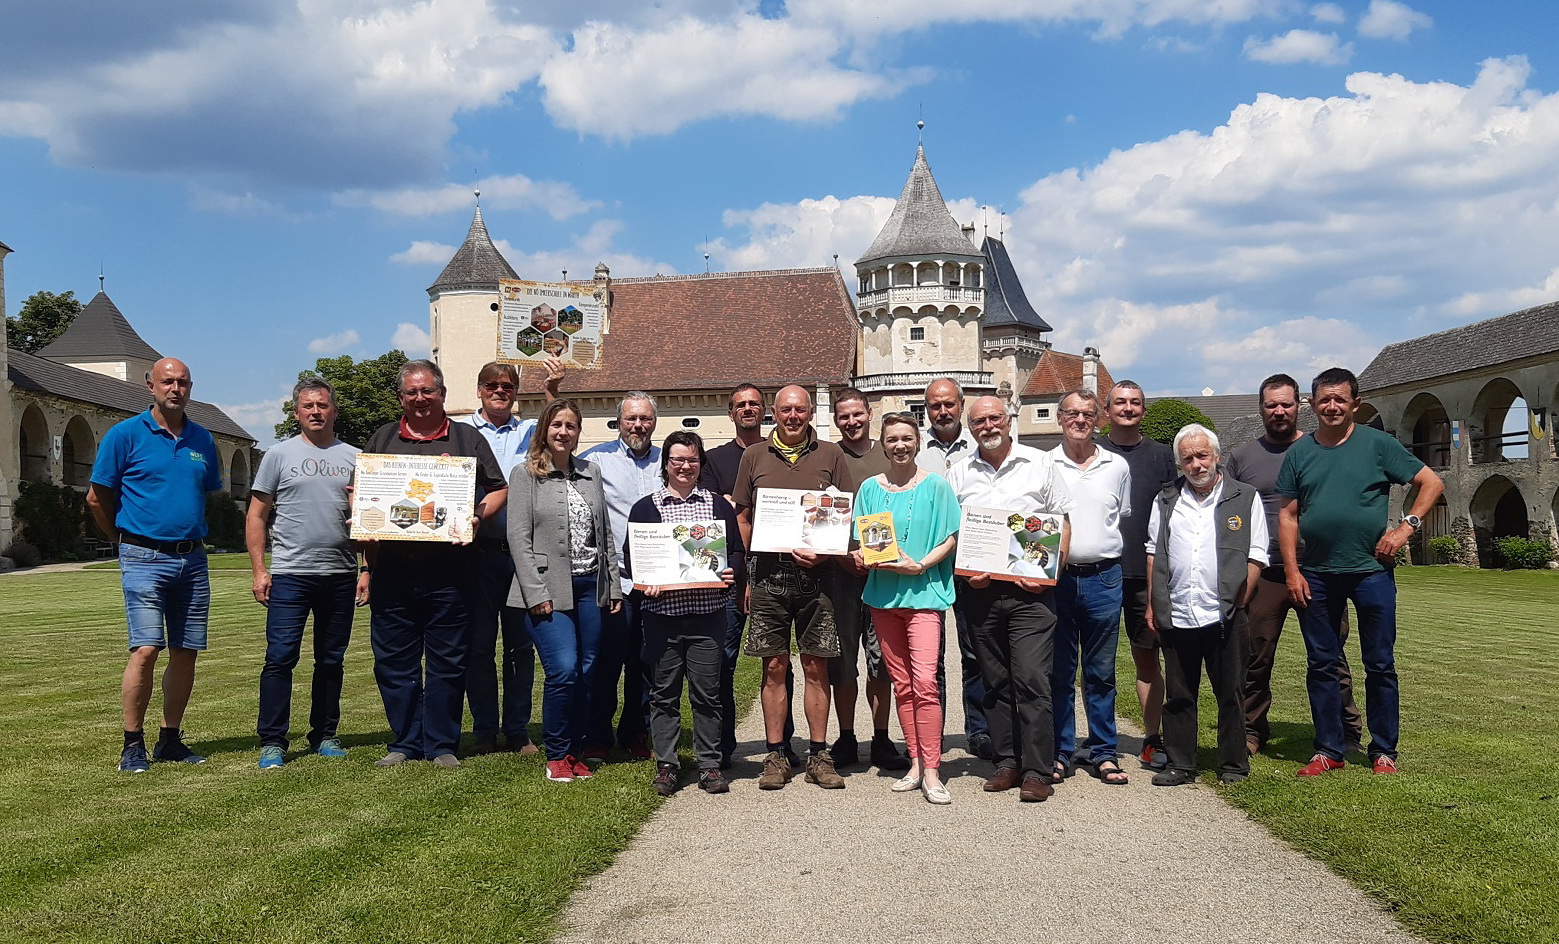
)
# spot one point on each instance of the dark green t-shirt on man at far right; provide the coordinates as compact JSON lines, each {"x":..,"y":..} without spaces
{"x":1343,"y":498}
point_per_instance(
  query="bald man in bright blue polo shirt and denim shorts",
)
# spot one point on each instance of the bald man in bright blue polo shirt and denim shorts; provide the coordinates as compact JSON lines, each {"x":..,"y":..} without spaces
{"x":149,"y":490}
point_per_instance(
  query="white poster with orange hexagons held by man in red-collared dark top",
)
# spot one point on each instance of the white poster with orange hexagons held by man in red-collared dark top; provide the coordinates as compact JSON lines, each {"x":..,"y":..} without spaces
{"x":414,"y":498}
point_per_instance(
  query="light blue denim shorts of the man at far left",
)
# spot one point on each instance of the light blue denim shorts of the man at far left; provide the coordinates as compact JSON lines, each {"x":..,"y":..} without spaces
{"x":168,"y":597}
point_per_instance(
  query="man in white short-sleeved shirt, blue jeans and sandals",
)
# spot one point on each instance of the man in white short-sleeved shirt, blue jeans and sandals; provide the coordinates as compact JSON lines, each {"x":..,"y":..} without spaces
{"x":1089,"y":591}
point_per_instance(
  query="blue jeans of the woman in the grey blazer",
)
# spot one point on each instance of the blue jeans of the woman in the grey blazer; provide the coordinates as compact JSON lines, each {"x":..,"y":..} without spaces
{"x":567,"y":644}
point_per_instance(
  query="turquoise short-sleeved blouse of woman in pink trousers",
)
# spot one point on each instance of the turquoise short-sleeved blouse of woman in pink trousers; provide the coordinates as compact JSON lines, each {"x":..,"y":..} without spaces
{"x":924,"y":518}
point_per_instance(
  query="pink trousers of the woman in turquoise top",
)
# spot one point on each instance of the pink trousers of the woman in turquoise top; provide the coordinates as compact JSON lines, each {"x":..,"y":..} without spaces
{"x":911,"y":643}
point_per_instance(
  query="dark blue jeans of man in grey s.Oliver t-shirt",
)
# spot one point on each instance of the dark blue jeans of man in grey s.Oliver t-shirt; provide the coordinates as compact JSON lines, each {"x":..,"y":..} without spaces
{"x":294,"y":597}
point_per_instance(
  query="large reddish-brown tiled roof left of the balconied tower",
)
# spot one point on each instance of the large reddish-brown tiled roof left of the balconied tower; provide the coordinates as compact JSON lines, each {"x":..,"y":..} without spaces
{"x":716,"y":331}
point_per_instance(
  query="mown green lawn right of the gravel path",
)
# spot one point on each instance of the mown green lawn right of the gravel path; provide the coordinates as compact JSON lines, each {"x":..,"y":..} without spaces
{"x":1465,"y":844}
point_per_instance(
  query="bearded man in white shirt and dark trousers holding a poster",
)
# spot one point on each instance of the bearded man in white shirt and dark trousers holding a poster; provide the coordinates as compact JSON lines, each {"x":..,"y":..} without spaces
{"x":1013,"y":622}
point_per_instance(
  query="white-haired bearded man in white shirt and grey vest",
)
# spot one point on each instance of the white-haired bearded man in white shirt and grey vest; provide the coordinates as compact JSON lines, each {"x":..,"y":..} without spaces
{"x":1207,"y":543}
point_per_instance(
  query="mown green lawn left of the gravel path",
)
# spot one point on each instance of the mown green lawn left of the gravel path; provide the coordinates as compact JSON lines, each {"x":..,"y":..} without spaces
{"x":317,"y":851}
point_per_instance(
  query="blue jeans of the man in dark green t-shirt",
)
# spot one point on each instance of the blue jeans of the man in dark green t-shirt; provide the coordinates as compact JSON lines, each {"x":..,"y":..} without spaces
{"x":1374,"y":599}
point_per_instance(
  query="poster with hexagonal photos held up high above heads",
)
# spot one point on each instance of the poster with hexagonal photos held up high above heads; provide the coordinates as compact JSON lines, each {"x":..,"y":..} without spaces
{"x":542,"y":320}
